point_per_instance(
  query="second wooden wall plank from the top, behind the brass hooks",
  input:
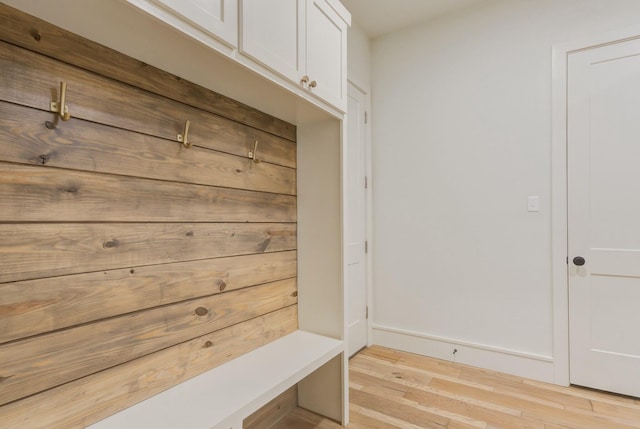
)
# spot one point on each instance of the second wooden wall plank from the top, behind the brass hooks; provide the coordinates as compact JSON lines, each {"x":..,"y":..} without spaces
{"x":33,"y":80}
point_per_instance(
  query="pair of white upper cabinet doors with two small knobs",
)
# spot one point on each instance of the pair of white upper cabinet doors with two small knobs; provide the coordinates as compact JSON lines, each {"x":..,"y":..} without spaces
{"x":303,"y":40}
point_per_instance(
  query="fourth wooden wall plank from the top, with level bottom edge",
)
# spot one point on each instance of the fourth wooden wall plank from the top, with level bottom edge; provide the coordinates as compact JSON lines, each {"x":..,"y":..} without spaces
{"x":42,"y":194}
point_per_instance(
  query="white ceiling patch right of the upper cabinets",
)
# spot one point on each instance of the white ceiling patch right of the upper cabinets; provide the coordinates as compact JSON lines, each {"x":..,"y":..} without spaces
{"x":378,"y":17}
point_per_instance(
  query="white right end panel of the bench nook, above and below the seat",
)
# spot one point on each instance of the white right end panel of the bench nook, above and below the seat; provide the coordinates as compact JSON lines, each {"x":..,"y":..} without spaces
{"x":321,"y":273}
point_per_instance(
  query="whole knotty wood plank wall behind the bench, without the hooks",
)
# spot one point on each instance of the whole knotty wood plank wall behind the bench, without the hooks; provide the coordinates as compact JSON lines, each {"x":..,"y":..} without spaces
{"x":130,"y":263}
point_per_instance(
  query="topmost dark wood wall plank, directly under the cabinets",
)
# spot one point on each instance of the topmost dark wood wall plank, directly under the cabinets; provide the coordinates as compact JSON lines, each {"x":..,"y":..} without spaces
{"x":39,"y":36}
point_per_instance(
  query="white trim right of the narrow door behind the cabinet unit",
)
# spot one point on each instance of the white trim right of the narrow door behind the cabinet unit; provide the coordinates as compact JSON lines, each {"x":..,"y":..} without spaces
{"x":368,"y":207}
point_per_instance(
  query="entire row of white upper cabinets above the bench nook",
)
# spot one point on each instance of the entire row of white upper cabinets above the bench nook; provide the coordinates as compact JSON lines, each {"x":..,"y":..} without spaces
{"x":300,"y":44}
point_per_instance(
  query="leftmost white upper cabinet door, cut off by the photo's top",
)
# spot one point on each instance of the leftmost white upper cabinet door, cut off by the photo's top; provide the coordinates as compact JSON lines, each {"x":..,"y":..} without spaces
{"x":217,"y":18}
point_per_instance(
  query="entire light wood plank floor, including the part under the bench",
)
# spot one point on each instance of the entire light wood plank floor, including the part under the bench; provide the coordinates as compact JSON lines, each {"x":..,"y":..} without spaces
{"x":392,"y":389}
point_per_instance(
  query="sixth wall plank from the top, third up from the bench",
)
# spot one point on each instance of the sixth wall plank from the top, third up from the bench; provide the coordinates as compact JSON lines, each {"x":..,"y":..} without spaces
{"x":37,"y":306}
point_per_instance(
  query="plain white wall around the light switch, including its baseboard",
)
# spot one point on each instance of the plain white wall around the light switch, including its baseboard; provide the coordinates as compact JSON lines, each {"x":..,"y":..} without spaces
{"x":461,"y":137}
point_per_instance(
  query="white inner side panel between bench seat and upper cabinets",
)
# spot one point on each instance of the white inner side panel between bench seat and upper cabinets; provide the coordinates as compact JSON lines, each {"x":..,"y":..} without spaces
{"x":320,"y":269}
